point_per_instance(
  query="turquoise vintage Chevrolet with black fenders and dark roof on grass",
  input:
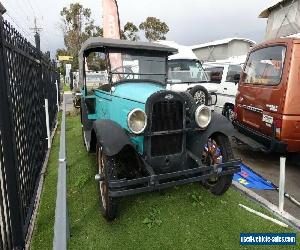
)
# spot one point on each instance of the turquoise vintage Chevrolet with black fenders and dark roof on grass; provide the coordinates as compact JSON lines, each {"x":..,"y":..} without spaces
{"x":145,"y":137}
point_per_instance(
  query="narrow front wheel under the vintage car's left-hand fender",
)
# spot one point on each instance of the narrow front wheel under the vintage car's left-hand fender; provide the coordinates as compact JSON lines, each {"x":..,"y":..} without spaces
{"x":106,"y":166}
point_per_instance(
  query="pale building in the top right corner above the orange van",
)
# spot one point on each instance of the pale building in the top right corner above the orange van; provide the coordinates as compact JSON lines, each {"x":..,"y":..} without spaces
{"x":283,"y":18}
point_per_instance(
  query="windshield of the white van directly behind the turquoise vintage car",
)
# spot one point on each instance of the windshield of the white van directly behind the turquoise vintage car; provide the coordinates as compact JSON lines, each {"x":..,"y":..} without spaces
{"x":186,"y":71}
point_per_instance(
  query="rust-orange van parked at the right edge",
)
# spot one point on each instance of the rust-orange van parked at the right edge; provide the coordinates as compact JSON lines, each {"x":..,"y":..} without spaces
{"x":268,"y":99}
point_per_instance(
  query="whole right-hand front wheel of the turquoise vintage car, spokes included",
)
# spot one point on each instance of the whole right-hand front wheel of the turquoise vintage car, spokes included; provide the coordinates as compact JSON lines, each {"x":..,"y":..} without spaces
{"x":217,"y":150}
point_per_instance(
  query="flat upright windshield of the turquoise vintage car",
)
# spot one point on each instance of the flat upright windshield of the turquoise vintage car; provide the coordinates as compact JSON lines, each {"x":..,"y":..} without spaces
{"x":138,"y":65}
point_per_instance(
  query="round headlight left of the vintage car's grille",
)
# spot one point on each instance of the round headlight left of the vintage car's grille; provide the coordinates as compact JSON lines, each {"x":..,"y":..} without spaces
{"x":137,"y":121}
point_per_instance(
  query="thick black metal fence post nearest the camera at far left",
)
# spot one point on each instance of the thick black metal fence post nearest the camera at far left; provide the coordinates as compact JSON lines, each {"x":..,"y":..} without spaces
{"x":6,"y":128}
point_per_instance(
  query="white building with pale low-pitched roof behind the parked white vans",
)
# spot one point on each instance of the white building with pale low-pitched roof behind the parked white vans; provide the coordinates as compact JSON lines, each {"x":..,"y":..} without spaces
{"x":224,"y":49}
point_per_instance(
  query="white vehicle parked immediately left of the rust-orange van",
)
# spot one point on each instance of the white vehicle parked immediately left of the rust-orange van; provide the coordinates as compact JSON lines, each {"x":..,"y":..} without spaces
{"x":224,"y":77}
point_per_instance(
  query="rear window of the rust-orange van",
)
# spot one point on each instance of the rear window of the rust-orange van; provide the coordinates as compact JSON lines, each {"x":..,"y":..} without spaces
{"x":264,"y":66}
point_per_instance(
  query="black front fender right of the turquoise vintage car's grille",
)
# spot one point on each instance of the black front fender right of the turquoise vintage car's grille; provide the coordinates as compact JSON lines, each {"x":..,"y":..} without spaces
{"x":197,"y":140}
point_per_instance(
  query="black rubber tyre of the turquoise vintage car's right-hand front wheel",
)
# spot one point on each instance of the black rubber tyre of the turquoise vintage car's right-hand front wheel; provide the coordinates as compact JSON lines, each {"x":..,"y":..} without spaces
{"x":221,"y":184}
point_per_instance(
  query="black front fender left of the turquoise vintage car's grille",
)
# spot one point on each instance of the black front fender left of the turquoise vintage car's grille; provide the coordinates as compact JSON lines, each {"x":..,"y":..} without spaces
{"x":111,"y":136}
